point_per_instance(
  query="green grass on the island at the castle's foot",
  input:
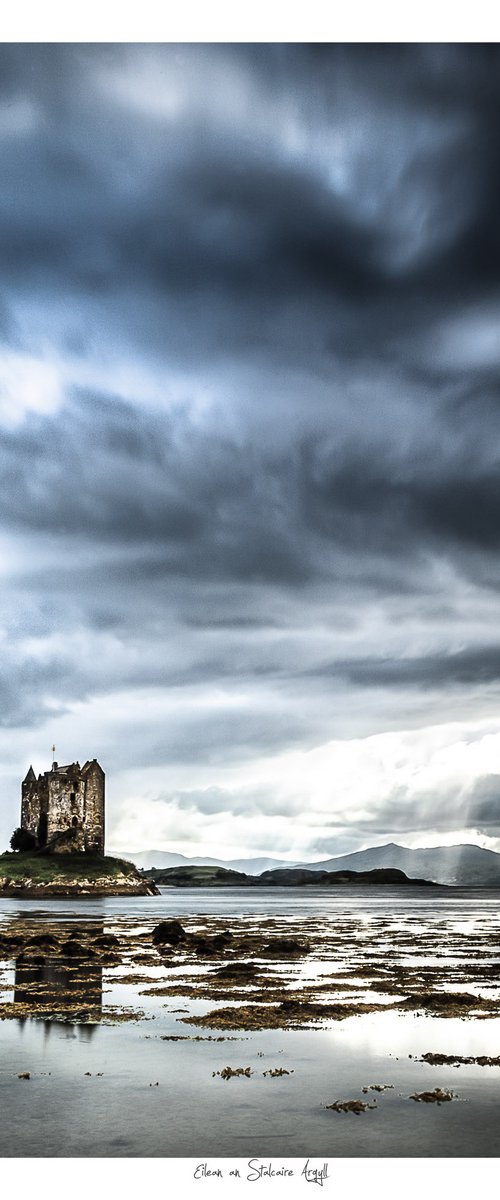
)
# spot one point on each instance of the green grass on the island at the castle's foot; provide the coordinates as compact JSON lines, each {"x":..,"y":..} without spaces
{"x":20,"y":866}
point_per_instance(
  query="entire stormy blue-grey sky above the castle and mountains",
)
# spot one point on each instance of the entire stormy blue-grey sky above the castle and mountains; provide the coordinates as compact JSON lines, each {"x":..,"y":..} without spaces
{"x":250,"y":440}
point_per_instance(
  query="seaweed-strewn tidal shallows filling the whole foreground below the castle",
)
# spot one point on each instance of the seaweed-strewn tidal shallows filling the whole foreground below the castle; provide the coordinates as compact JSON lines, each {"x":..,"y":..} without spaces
{"x":200,"y":1024}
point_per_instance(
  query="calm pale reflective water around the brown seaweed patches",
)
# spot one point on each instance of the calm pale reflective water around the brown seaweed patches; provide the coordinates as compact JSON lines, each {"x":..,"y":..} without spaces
{"x":64,"y":1112}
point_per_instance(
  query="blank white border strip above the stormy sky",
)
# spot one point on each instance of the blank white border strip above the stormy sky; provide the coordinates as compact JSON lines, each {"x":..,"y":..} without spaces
{"x":264,"y":21}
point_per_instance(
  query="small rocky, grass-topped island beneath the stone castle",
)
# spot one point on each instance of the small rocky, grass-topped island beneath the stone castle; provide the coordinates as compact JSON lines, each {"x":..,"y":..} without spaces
{"x":33,"y":874}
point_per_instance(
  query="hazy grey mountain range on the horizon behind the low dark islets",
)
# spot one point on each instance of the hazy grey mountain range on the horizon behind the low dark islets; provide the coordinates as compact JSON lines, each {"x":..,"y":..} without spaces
{"x":463,"y":866}
